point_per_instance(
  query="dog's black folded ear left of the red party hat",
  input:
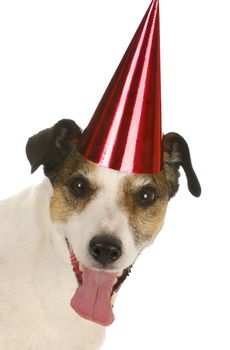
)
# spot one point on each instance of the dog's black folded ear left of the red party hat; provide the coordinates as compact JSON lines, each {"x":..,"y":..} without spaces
{"x":50,"y":147}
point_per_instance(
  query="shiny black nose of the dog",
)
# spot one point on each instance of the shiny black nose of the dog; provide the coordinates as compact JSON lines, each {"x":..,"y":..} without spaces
{"x":105,"y":249}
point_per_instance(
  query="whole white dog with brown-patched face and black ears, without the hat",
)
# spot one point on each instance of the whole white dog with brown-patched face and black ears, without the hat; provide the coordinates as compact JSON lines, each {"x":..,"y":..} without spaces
{"x":68,"y":243}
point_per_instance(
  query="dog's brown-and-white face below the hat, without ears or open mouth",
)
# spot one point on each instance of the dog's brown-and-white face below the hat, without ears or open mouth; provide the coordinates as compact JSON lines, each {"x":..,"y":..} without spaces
{"x":94,"y":203}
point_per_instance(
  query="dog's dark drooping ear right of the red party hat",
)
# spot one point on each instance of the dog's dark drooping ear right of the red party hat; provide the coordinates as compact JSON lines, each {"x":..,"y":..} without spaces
{"x":177,"y":153}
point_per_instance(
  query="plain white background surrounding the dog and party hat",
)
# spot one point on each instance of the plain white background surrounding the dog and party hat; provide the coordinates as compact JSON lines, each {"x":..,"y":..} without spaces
{"x":56,"y":59}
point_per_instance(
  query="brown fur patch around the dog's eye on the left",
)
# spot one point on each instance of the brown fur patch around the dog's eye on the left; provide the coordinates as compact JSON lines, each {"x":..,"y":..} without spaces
{"x":63,"y":203}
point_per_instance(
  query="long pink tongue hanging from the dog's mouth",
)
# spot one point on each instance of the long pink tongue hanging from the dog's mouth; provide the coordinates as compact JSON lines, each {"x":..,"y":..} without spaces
{"x":92,"y":298}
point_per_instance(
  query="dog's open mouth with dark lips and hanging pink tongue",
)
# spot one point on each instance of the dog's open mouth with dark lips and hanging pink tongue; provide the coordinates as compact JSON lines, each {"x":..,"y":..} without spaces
{"x":95,"y":296}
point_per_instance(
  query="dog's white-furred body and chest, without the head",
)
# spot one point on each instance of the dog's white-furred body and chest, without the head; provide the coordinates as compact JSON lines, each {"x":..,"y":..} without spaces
{"x":36,"y":280}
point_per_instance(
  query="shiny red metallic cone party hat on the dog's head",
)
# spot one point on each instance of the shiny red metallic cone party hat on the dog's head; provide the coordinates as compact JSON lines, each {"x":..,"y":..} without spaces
{"x":125,"y":131}
